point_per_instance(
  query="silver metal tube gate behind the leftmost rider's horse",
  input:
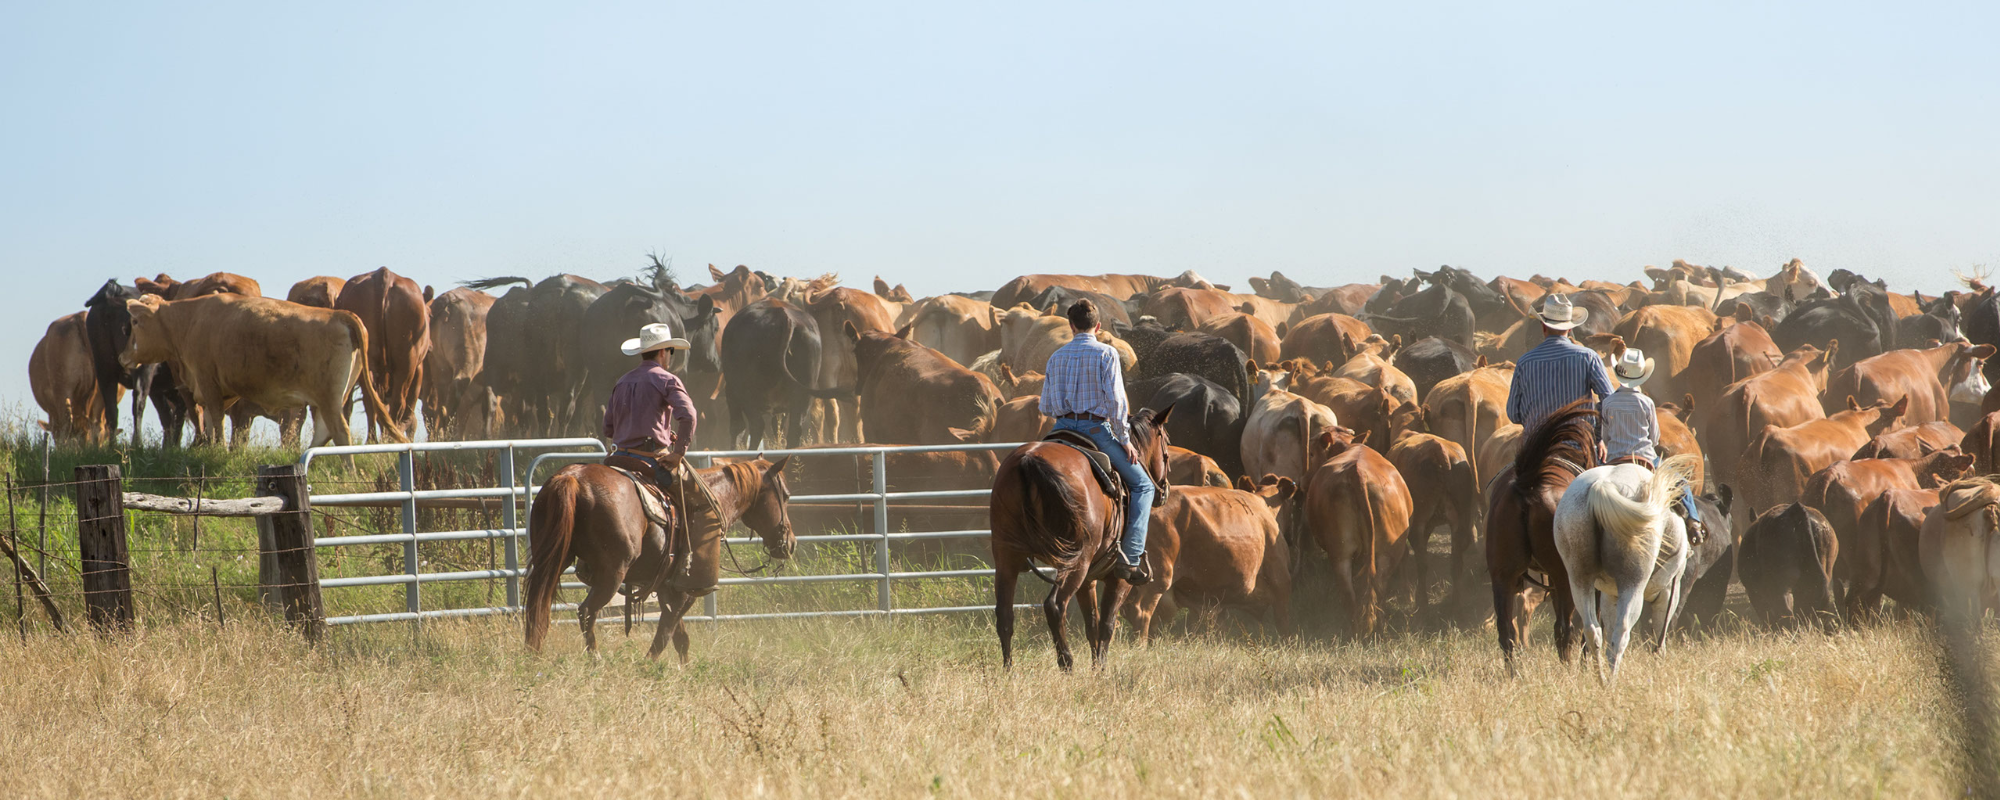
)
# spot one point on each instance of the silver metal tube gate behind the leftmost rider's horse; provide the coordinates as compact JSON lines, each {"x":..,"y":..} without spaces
{"x":519,"y":489}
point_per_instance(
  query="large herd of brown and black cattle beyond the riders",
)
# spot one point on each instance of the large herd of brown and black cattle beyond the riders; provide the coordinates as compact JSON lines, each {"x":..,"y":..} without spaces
{"x":1845,"y":429}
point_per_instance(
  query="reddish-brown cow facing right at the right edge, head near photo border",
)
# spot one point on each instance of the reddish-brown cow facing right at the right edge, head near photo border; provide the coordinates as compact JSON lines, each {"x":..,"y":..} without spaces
{"x":1931,"y":379}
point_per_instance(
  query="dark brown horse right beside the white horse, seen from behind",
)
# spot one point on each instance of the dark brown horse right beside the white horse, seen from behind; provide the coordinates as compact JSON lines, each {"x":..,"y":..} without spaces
{"x":1521,"y":525}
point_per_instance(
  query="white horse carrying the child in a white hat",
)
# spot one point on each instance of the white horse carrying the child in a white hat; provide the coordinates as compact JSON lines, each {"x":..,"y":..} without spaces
{"x":1621,"y":543}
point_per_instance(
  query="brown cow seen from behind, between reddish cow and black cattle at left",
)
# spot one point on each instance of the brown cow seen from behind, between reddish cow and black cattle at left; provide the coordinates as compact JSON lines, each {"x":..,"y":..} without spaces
{"x":457,"y":401}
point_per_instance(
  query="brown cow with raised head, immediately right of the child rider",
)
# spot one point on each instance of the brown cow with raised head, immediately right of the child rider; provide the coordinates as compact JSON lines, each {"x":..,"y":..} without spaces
{"x":1783,"y":397}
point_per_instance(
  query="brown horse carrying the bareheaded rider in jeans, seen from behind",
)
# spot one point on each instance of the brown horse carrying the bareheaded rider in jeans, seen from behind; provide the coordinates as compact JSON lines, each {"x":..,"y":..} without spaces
{"x":1049,"y":507}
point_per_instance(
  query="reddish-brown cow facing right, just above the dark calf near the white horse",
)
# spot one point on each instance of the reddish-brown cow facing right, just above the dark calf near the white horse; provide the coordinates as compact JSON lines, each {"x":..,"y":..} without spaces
{"x":1779,"y":461}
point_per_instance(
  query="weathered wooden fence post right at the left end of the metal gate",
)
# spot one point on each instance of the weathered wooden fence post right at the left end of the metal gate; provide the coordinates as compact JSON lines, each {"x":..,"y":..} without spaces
{"x":287,"y":547}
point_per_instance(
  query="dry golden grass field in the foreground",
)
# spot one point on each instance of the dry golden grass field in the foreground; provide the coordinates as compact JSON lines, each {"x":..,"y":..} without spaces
{"x":923,"y":709}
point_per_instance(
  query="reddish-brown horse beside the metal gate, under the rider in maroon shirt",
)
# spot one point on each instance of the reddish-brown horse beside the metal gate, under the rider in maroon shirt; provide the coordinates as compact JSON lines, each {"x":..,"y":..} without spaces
{"x":591,"y":515}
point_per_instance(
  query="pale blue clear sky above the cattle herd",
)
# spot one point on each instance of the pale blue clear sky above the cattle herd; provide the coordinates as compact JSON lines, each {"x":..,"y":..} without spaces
{"x":953,"y":147}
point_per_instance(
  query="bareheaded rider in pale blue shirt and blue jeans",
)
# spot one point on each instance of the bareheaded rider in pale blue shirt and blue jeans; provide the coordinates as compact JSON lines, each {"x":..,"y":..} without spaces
{"x":1085,"y":393}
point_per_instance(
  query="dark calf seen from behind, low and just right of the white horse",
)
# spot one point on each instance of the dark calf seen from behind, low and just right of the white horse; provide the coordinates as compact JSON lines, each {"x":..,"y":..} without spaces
{"x":1787,"y":567}
